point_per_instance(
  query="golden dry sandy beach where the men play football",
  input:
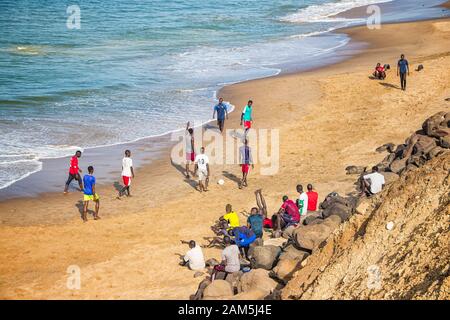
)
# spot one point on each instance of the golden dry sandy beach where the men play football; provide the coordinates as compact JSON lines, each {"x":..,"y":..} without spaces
{"x":327,"y":119}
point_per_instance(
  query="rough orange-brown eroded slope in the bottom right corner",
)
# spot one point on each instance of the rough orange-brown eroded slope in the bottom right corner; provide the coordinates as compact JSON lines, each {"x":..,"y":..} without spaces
{"x":362,"y":259}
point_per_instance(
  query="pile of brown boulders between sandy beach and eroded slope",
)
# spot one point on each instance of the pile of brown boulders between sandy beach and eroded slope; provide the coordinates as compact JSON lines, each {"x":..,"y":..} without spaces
{"x":274,"y":264}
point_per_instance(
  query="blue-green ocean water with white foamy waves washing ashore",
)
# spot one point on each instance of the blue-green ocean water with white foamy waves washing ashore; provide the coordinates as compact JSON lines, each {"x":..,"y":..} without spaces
{"x":140,"y":68}
